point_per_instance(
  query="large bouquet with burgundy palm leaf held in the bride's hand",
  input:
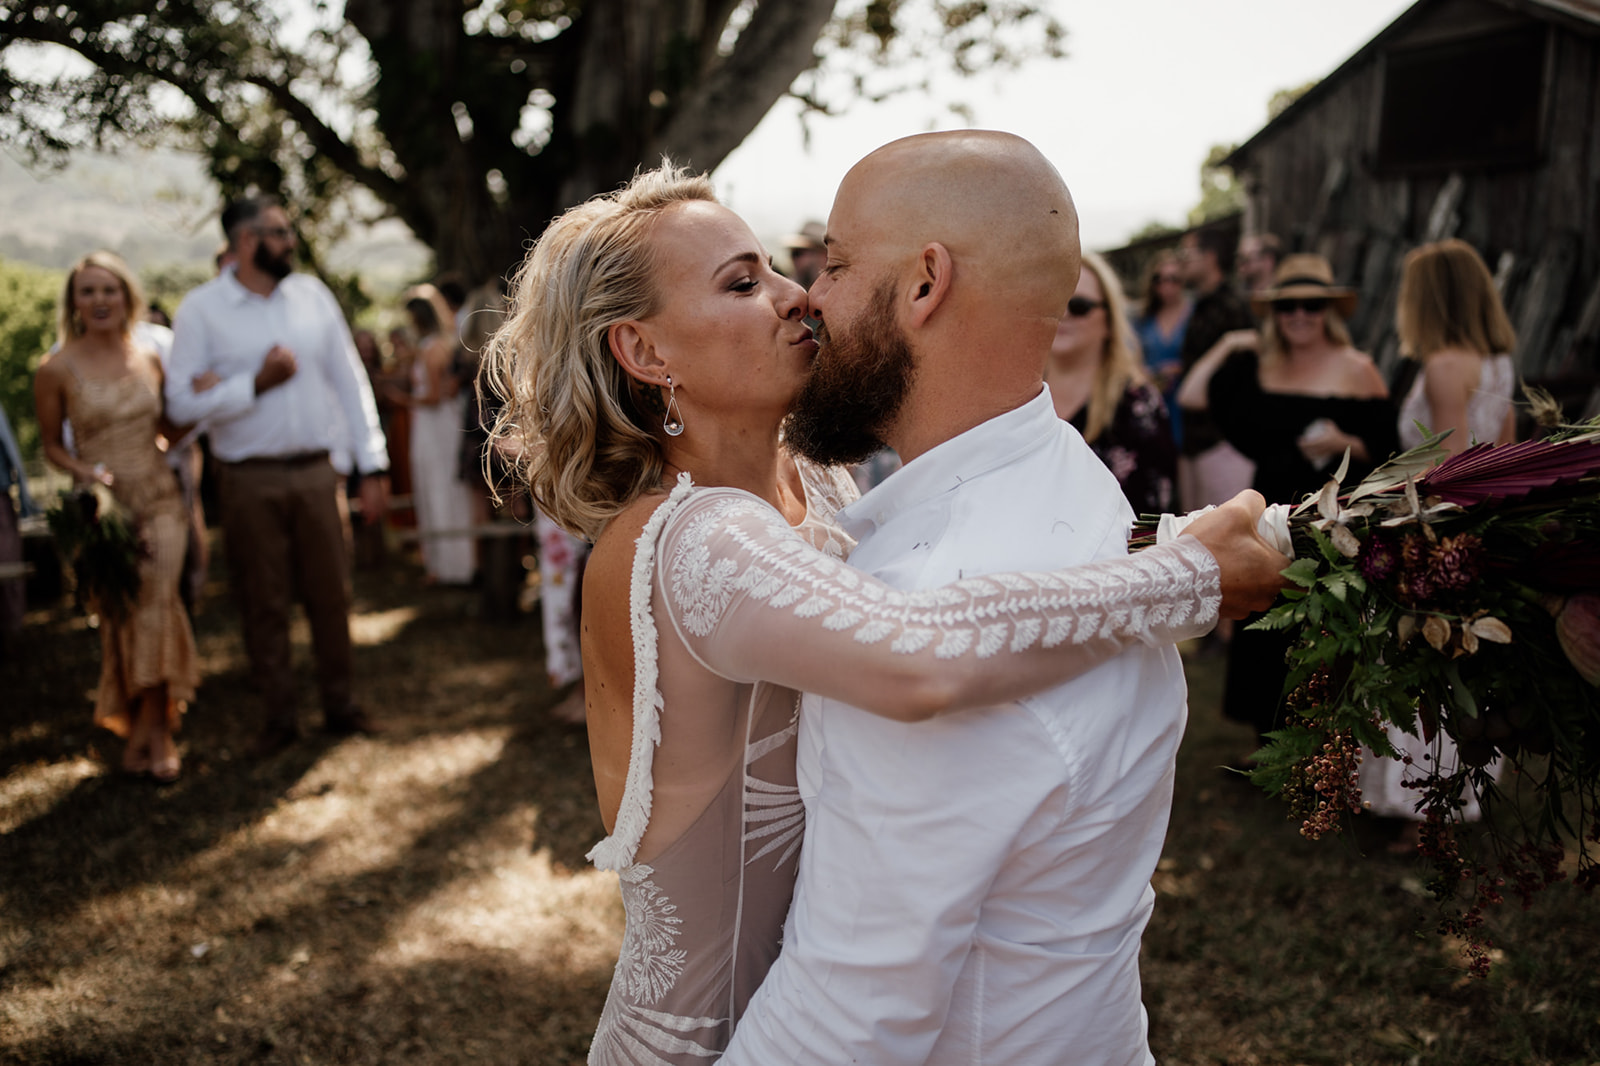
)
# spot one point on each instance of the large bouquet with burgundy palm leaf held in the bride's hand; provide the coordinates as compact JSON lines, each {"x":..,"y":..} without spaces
{"x":1452,"y":599}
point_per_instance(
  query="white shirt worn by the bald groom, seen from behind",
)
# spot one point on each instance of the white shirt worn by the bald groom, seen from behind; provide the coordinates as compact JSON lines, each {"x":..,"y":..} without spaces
{"x":974,"y":889}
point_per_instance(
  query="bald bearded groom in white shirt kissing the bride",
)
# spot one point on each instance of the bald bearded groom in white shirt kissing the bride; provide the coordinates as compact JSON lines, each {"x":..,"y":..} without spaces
{"x":972,"y":889}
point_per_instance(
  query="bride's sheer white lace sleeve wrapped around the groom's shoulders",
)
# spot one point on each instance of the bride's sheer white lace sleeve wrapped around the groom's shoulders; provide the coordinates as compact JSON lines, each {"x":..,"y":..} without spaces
{"x":753,"y":601}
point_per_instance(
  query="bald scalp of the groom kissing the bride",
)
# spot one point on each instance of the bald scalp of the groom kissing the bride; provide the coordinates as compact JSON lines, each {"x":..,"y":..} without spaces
{"x":990,"y":198}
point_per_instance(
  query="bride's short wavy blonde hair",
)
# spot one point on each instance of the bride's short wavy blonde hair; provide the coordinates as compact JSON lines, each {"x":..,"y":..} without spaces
{"x":572,"y":422}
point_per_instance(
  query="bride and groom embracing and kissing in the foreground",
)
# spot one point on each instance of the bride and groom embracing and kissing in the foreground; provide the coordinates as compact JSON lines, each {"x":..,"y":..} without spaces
{"x":942,"y":851}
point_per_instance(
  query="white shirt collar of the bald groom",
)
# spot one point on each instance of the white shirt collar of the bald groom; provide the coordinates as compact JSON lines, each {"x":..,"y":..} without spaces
{"x":961,"y":459}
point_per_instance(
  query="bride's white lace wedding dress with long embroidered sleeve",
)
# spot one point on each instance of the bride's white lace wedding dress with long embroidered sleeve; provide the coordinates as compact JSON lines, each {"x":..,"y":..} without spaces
{"x":734,"y":612}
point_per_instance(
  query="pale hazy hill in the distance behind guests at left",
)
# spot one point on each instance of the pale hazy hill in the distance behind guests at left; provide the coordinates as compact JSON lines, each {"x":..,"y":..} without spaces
{"x":156,"y":209}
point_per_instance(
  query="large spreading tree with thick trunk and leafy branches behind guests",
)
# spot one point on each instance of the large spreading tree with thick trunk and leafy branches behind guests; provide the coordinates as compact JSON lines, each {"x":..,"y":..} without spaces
{"x":471,"y":122}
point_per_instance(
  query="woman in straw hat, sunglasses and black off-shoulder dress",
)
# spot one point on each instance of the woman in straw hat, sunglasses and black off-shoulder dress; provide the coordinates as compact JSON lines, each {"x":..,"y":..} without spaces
{"x":1292,"y":398}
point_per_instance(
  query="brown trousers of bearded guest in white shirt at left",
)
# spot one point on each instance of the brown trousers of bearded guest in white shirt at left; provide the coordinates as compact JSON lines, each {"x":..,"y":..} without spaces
{"x":286,"y":537}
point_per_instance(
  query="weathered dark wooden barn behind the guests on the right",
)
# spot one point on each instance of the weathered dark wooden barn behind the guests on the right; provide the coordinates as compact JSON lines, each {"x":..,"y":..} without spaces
{"x":1474,"y":119}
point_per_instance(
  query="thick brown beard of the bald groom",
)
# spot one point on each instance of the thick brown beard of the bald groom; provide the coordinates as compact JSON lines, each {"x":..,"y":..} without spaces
{"x":857,"y":387}
